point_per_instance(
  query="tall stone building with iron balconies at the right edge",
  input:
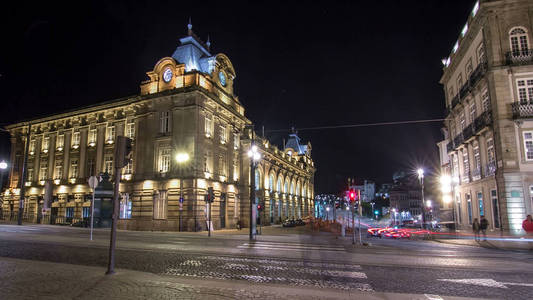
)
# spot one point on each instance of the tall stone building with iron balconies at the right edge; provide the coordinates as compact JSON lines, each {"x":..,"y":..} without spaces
{"x":488,"y":85}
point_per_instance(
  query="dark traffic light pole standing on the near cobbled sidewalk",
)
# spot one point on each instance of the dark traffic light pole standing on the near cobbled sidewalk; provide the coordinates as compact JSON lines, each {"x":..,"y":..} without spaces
{"x":122,"y":150}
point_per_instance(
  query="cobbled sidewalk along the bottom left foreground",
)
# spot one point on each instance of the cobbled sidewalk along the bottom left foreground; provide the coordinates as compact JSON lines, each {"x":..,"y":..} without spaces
{"x":25,"y":279}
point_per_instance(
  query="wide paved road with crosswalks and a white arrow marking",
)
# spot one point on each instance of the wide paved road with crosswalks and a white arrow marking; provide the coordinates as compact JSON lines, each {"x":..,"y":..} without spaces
{"x":289,"y":257}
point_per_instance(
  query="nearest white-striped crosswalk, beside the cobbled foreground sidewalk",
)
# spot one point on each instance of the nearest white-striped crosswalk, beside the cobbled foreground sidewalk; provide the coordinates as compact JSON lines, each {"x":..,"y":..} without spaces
{"x":277,"y":271}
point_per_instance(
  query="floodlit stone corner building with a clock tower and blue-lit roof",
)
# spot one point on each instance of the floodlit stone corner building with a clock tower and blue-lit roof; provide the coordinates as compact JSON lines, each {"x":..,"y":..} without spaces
{"x":189,"y":133}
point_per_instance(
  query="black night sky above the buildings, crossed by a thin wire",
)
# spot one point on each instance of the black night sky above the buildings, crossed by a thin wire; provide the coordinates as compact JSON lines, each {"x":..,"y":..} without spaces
{"x":298,"y":63}
